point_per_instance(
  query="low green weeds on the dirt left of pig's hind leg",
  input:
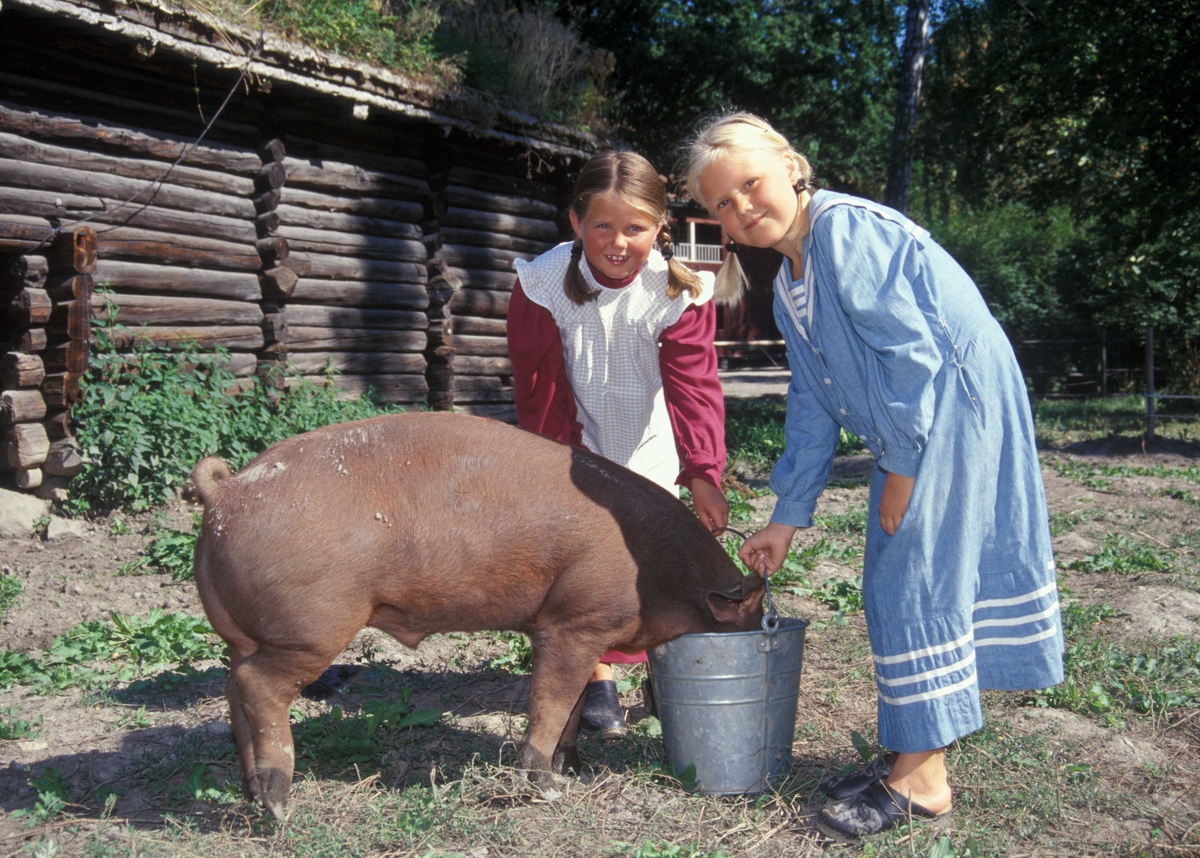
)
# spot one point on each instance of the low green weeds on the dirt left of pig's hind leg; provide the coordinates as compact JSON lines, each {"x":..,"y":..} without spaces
{"x":99,"y":653}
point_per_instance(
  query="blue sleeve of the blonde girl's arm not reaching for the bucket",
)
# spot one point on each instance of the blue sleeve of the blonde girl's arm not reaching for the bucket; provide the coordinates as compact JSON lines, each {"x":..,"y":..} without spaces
{"x":877,"y":268}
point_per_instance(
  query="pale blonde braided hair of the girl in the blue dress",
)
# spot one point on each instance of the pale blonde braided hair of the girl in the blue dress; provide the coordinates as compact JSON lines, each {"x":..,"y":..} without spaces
{"x":715,"y":141}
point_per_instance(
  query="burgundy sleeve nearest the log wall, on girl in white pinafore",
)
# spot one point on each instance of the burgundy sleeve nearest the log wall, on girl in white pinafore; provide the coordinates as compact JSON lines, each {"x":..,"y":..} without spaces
{"x":544,"y":400}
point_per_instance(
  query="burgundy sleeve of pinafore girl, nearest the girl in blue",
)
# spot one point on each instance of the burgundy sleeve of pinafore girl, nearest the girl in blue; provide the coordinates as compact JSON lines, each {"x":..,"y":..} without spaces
{"x":693,"y":392}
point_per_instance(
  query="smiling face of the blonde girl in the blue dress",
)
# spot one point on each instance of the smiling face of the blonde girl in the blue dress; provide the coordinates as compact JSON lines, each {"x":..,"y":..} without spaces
{"x":753,"y":195}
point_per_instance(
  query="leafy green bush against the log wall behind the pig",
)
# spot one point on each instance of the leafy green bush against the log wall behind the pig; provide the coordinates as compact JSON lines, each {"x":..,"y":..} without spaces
{"x":147,"y":418}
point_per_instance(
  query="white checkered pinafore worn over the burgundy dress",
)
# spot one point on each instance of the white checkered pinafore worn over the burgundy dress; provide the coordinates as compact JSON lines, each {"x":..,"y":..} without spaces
{"x":611,"y":349}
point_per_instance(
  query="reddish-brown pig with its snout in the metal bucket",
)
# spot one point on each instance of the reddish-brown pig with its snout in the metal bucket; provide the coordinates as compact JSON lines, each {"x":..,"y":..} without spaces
{"x":431,"y":523}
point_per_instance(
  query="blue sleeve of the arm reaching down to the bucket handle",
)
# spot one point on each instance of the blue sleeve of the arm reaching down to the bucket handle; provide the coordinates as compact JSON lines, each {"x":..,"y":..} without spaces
{"x":811,"y":439}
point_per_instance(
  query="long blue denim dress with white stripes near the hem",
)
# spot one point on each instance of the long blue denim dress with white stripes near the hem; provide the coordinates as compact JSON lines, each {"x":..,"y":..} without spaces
{"x":890,"y":339}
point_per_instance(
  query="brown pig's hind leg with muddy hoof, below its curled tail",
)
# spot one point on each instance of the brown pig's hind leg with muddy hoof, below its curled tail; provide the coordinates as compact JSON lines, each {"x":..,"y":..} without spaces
{"x":260,"y":689}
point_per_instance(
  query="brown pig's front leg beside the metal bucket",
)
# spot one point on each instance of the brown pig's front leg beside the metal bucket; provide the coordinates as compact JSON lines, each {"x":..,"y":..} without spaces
{"x":562,"y":664}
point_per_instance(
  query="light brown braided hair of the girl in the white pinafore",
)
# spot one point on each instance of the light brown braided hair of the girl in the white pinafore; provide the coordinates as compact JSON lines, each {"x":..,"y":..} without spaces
{"x":634,"y":181}
